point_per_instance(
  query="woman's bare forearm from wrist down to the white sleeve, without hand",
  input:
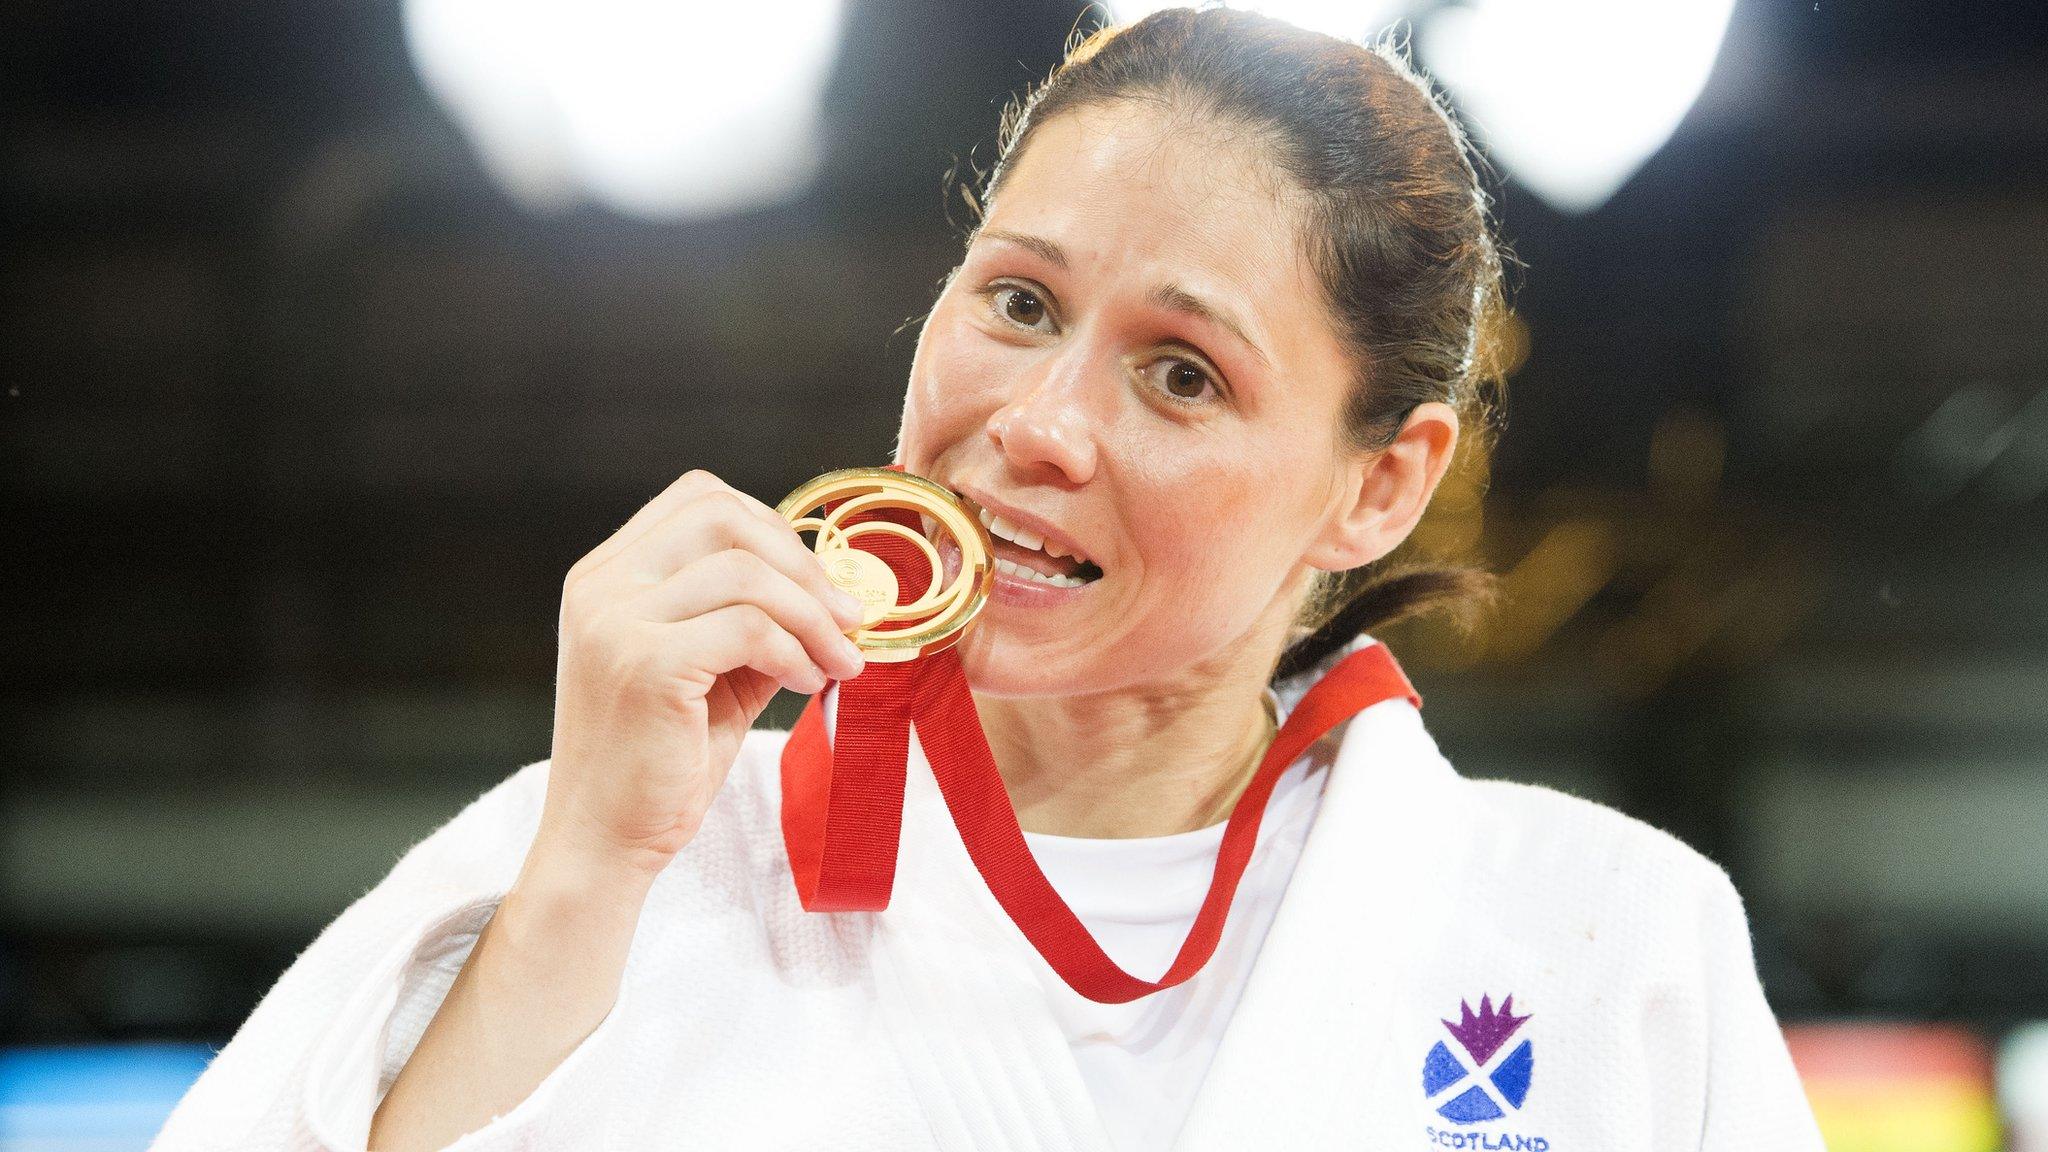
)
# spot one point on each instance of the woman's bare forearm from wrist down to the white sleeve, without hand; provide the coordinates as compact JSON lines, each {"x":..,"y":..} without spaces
{"x":542,"y":977}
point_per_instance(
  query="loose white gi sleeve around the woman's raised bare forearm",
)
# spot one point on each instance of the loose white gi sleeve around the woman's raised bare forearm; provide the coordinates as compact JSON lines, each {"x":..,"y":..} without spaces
{"x":314,"y":1061}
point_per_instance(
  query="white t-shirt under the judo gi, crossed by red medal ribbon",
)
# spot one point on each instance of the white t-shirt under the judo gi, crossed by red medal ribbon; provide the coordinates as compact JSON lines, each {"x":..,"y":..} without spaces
{"x":1140,"y":897}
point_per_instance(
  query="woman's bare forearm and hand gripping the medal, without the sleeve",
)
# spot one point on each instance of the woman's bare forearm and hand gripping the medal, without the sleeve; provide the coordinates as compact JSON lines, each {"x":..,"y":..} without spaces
{"x":673,"y":639}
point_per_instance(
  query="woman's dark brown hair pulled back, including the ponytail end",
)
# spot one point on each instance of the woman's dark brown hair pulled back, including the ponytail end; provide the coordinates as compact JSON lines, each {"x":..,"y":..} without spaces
{"x":1396,"y":227}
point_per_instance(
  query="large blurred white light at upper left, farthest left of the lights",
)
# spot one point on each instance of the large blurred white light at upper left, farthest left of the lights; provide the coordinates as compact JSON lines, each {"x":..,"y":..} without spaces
{"x":648,"y":108}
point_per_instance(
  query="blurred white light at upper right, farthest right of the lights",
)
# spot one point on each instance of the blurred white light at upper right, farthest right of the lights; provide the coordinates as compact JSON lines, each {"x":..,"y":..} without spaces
{"x":1576,"y":95}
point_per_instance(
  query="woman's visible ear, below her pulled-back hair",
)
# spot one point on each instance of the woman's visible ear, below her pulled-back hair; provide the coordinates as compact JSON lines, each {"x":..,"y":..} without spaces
{"x":1383,"y":495}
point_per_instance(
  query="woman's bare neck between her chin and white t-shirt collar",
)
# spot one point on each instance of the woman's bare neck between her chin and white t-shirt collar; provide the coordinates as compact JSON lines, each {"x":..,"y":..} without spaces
{"x":1144,"y":762}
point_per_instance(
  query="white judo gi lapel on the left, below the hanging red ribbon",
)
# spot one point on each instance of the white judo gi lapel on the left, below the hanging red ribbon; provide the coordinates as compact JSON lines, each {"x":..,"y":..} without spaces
{"x":964,"y":1005}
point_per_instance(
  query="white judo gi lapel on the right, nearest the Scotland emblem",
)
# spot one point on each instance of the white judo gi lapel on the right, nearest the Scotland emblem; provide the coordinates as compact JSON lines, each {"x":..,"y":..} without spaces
{"x":1375,"y":884}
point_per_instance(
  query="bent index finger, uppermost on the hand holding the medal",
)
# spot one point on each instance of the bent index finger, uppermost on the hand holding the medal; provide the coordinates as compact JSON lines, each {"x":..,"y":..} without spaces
{"x":720,"y":522}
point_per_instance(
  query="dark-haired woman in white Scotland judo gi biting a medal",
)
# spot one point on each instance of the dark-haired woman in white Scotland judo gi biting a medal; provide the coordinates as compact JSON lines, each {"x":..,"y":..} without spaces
{"x":1209,"y":352}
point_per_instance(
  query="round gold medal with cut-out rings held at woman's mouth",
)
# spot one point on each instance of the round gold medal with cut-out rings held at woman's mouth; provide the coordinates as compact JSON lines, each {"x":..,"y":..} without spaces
{"x":947,"y":608}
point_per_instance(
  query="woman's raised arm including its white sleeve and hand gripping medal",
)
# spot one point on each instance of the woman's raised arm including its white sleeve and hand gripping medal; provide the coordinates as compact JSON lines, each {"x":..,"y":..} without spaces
{"x":675,"y":634}
